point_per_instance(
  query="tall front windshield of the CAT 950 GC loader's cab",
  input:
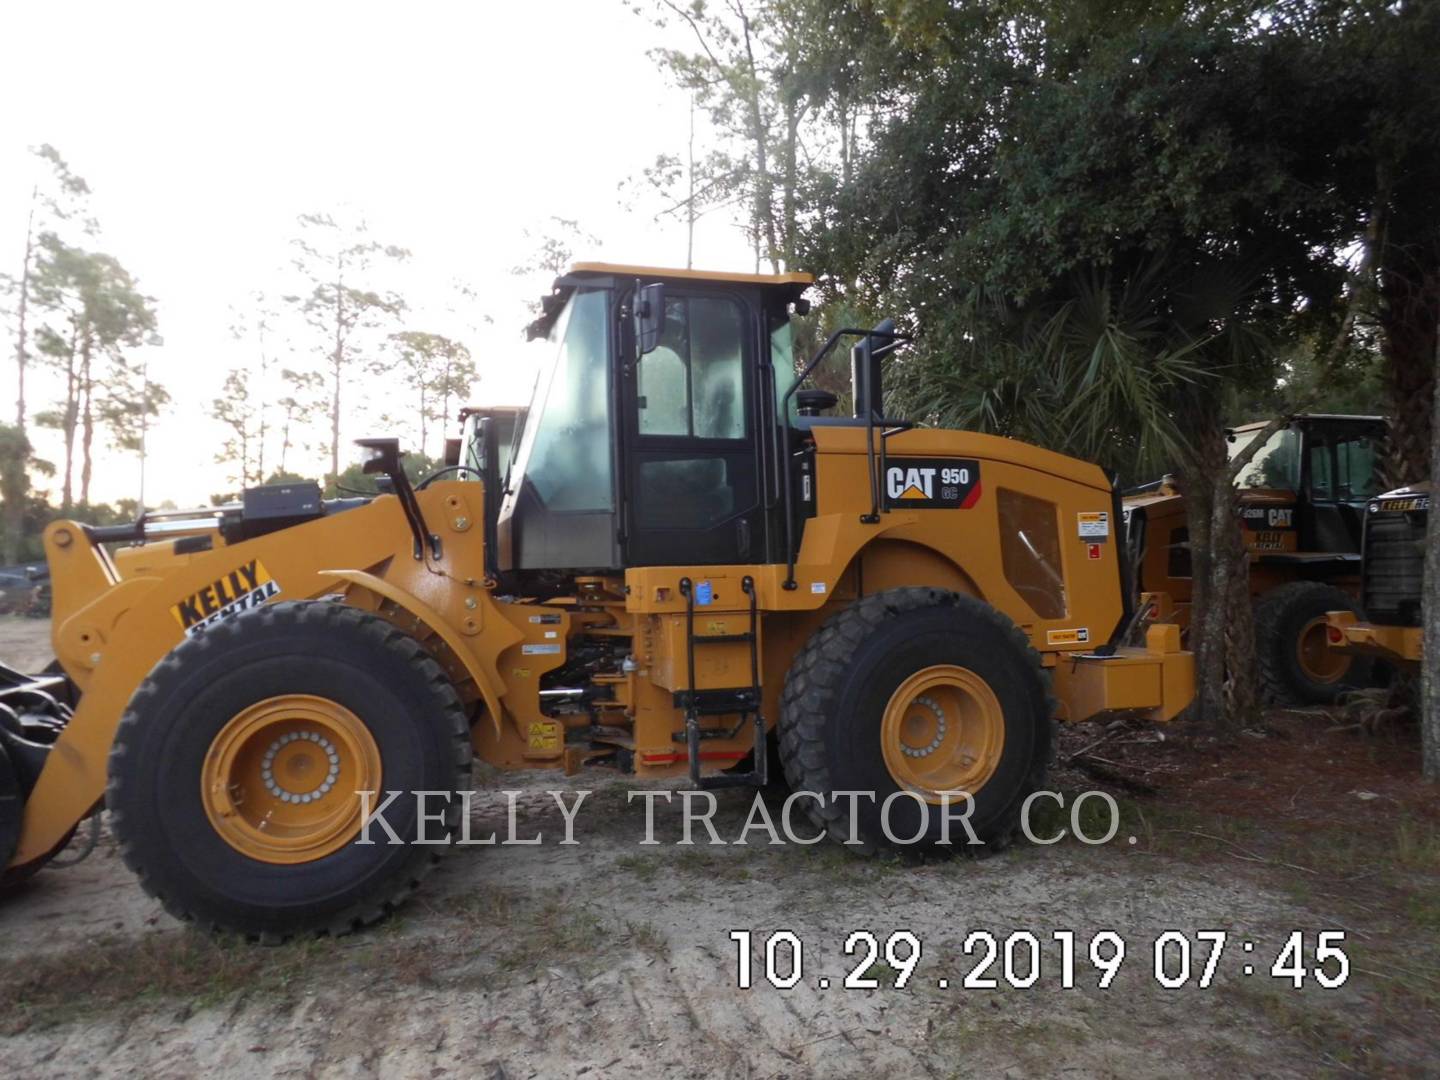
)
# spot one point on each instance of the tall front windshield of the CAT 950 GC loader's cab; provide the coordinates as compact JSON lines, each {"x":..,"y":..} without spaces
{"x":565,"y":451}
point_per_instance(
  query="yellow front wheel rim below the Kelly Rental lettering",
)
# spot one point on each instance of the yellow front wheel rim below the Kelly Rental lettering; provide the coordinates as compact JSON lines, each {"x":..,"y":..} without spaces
{"x":282,"y":778}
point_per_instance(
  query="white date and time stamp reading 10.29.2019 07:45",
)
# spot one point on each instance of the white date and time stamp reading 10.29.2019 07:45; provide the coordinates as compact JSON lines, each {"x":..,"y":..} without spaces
{"x":1022,"y":960}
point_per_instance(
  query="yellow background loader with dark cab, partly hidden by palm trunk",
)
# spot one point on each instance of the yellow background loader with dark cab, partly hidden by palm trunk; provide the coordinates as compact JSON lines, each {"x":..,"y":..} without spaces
{"x":1304,"y":500}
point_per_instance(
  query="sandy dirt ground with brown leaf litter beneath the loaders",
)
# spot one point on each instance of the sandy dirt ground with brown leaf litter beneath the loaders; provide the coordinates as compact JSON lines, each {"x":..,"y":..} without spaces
{"x":614,"y":958}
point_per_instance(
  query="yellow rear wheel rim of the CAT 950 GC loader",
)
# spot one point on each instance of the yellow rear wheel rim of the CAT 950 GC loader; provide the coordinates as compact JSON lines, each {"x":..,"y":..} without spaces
{"x":942,"y":732}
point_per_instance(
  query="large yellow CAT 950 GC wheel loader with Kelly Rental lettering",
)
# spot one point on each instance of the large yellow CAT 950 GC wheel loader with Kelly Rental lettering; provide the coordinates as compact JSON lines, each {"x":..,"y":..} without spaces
{"x":686,"y":561}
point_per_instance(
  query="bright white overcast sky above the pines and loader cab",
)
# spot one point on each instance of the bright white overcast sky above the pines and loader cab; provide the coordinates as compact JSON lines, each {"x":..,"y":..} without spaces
{"x":204,"y":130}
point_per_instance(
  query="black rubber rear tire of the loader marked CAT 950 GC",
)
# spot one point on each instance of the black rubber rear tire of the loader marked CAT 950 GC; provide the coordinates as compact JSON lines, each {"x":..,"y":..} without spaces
{"x":837,"y":690}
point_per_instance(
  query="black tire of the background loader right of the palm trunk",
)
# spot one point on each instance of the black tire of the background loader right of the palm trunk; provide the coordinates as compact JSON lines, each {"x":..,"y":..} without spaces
{"x":1282,"y":617}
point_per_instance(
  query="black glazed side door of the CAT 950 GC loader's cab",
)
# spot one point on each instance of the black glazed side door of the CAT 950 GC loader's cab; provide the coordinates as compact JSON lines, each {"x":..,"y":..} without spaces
{"x":692,"y":492}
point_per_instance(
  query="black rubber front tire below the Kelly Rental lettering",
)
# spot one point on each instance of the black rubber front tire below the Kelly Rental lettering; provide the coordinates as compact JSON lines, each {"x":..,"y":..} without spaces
{"x":326,"y":650}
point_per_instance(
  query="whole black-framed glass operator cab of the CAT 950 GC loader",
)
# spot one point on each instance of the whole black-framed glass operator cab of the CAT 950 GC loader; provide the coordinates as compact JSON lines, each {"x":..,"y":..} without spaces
{"x":654,"y":441}
